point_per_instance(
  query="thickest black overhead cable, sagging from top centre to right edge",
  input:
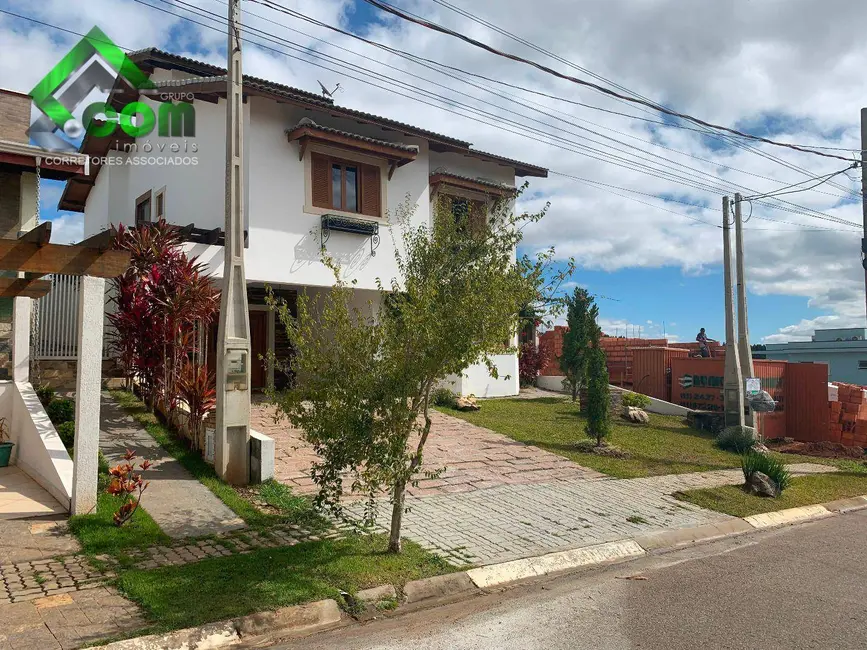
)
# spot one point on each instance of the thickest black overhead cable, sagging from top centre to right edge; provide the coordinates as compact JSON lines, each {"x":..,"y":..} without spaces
{"x":607,"y":91}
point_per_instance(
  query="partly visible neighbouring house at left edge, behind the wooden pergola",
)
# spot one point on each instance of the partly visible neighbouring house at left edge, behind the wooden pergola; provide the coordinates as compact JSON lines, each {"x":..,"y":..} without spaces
{"x":19,"y":161}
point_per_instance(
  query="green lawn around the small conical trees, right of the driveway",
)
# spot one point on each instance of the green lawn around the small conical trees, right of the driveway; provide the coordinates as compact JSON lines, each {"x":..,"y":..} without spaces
{"x":665,"y":446}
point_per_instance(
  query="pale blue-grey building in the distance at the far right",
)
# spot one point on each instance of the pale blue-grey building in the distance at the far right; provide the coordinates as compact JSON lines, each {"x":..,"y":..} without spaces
{"x":844,"y":350}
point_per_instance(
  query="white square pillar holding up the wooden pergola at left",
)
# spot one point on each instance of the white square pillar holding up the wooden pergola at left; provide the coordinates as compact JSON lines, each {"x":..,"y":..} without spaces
{"x":91,"y":307}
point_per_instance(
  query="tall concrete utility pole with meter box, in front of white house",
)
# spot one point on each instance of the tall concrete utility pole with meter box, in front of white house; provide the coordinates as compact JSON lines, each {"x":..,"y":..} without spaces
{"x":232,"y":441}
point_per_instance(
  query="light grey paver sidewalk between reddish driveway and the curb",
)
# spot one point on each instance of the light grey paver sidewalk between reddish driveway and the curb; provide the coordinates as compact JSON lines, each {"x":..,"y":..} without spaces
{"x":515,"y":521}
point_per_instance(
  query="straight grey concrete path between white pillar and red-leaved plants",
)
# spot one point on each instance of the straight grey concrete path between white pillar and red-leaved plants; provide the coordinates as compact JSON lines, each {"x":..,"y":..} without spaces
{"x":179,"y":503}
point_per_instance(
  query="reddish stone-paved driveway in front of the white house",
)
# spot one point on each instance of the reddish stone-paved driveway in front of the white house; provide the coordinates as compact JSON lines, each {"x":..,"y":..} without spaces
{"x":475,"y":458}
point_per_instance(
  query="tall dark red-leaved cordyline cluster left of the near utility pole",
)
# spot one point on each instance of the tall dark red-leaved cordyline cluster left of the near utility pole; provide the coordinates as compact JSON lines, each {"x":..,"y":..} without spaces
{"x":161,"y":300}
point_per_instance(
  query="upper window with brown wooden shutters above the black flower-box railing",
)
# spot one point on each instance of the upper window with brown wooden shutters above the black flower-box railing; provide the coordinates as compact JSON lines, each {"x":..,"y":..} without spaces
{"x":346,"y":185}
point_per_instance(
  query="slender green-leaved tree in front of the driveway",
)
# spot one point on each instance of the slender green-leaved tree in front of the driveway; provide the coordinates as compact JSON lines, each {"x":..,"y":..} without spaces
{"x":364,"y":375}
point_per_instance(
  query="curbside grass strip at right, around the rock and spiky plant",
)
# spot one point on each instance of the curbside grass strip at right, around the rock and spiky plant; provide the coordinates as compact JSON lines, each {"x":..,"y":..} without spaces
{"x":804,"y":491}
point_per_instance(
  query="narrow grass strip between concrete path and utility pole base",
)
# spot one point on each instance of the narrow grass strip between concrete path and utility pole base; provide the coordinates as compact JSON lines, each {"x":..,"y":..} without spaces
{"x":291,"y":508}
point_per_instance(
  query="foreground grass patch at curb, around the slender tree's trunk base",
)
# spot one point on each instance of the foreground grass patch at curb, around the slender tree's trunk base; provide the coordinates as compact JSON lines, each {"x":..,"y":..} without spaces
{"x":221,"y":588}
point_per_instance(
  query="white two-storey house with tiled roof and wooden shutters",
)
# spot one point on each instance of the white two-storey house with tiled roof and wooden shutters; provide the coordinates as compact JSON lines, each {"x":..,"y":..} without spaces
{"x":317,"y":174}
